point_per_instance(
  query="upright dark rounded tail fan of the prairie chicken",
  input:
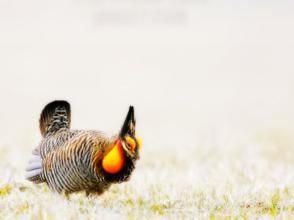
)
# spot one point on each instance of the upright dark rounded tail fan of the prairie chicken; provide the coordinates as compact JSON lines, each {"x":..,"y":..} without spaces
{"x":55,"y":115}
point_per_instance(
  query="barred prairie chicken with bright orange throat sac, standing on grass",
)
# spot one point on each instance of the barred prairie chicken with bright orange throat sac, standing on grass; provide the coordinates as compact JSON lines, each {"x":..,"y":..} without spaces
{"x":76,"y":160}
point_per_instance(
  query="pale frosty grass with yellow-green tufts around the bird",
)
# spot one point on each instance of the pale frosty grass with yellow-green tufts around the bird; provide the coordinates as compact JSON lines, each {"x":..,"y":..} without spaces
{"x":207,"y":182}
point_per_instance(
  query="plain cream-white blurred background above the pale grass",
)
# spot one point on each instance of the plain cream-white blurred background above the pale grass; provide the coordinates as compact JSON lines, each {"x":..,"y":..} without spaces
{"x":199,"y":73}
